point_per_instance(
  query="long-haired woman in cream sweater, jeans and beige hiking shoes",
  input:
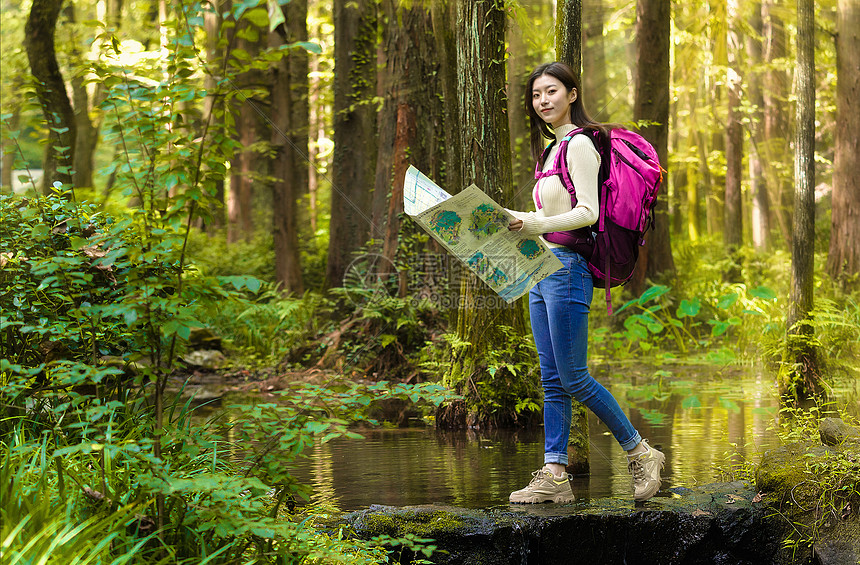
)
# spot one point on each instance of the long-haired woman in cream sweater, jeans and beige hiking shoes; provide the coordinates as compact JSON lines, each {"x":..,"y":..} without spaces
{"x":559,"y":304}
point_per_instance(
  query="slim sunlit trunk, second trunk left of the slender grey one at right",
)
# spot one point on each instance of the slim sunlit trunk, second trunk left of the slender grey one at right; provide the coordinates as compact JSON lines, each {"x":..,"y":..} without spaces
{"x":733,"y":209}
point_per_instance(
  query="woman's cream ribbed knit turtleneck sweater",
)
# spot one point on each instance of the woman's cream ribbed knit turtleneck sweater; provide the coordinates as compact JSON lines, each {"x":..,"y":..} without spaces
{"x":583,"y":162}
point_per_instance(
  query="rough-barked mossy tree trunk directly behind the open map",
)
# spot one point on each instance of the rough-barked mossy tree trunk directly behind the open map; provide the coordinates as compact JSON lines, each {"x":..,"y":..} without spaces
{"x":483,"y":320}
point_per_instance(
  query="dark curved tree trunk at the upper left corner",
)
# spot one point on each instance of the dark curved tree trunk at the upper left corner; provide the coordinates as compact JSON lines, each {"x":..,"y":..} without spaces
{"x":51,"y":92}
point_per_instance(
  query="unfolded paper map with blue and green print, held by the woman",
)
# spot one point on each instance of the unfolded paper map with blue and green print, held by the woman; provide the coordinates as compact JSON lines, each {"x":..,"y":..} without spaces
{"x":474,"y":228}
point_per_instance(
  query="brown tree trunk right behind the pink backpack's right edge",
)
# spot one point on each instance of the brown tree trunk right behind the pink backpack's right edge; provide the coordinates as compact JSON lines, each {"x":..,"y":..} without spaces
{"x":652,"y":104}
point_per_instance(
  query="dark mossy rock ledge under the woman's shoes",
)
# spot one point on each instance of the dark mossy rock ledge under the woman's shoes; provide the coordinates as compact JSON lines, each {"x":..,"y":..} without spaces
{"x":713,"y":524}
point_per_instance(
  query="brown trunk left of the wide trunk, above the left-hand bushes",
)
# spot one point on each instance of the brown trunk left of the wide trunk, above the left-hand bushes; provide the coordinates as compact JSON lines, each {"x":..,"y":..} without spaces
{"x":289,"y":136}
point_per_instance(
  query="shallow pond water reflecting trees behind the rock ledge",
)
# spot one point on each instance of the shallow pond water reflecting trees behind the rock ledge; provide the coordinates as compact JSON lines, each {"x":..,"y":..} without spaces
{"x":706,"y":420}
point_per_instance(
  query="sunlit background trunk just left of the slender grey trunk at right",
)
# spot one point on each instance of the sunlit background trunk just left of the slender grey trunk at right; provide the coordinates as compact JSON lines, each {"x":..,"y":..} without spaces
{"x":777,"y":132}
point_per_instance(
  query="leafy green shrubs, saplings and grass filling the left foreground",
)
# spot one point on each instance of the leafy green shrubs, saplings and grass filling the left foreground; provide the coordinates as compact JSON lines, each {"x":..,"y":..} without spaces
{"x":97,"y":465}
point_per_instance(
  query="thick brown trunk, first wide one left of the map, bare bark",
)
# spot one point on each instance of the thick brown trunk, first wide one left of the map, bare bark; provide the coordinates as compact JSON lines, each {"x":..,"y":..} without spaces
{"x":355,"y":143}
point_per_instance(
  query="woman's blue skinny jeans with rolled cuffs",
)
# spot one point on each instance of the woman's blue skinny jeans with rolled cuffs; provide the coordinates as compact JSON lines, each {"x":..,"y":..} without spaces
{"x":559,"y":306}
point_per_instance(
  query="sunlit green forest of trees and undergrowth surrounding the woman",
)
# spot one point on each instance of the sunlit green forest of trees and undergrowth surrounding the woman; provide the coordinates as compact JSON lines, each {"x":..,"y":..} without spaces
{"x":213,"y":191}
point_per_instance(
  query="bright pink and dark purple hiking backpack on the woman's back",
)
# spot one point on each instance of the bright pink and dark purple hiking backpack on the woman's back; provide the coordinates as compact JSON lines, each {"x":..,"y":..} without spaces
{"x":630,"y":177}
